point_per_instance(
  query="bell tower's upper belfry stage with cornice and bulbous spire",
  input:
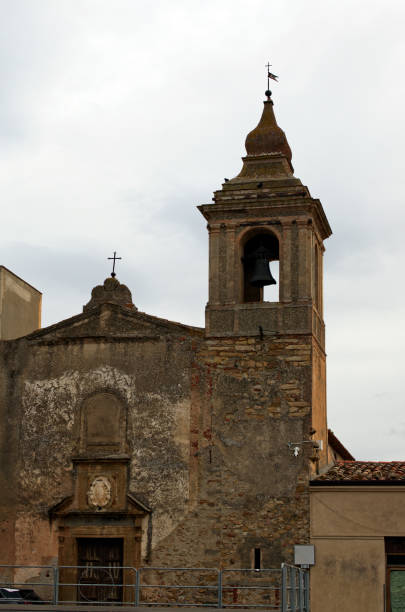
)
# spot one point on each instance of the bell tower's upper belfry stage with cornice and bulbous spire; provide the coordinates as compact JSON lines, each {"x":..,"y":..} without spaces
{"x":263,"y":219}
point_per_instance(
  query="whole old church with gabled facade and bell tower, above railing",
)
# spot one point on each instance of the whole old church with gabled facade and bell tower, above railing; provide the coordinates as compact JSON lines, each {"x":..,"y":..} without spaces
{"x":144,"y":442}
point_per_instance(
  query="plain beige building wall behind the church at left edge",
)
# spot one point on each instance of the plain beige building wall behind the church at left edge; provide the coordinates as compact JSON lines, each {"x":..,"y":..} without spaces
{"x":20,"y":306}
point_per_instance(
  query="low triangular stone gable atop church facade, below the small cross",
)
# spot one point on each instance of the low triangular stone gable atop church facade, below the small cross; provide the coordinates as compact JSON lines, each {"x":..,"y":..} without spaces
{"x":112,"y":321}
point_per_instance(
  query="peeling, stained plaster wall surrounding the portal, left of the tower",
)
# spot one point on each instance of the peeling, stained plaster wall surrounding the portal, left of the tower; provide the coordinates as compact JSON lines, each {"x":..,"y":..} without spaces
{"x":42,"y":402}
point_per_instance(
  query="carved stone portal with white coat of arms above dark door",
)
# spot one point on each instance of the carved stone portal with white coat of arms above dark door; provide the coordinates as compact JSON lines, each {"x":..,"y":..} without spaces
{"x":100,"y":539}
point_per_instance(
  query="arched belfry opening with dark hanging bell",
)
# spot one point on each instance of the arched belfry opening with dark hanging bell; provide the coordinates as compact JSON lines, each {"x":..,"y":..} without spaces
{"x":258,"y":277}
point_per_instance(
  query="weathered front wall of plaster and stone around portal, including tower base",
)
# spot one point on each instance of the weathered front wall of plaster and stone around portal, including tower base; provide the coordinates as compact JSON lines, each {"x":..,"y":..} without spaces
{"x":207,"y":432}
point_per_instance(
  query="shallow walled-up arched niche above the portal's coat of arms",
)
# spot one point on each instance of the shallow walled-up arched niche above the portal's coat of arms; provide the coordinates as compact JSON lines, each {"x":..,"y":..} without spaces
{"x":103,"y":424}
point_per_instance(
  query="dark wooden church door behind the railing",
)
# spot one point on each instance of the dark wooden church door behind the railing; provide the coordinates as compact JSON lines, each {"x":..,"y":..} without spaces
{"x":100,"y":562}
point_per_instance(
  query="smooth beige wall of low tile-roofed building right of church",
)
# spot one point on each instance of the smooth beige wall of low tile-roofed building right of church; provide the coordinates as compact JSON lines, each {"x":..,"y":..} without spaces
{"x":348,"y":526}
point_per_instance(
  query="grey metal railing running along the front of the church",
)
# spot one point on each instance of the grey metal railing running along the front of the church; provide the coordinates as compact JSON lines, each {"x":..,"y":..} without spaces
{"x":283,"y":590}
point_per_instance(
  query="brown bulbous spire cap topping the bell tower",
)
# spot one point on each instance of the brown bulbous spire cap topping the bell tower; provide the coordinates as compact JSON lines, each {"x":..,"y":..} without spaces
{"x":267,"y":137}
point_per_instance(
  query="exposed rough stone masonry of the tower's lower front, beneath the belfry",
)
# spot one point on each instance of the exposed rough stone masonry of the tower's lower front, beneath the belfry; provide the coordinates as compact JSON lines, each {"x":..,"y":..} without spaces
{"x":252,"y":492}
